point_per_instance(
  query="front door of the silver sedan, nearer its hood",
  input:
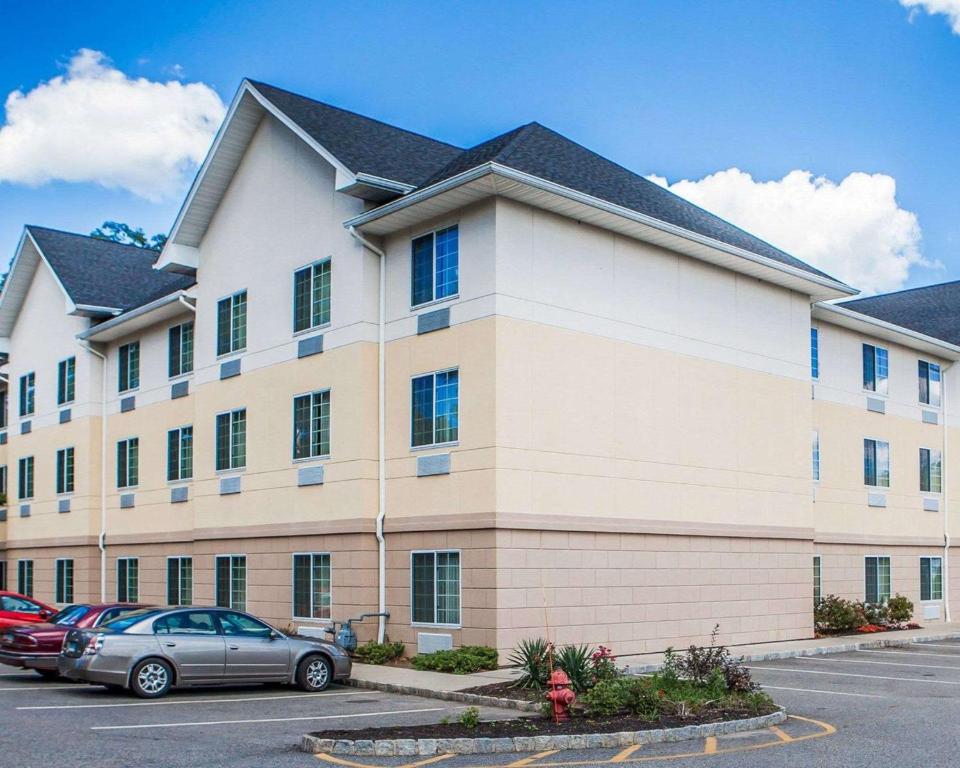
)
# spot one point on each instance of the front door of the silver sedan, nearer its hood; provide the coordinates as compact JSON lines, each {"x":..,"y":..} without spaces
{"x":255,"y":651}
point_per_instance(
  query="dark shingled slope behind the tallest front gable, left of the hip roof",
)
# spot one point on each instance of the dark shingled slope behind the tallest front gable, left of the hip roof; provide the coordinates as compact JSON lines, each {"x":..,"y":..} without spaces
{"x":362,"y":144}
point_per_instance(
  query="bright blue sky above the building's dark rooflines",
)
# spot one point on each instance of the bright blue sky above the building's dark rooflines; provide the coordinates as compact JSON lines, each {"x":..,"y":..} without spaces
{"x":683,"y":90}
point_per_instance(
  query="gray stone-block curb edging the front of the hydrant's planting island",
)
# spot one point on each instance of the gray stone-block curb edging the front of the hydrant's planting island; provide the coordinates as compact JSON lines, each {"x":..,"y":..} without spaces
{"x":411,"y":747}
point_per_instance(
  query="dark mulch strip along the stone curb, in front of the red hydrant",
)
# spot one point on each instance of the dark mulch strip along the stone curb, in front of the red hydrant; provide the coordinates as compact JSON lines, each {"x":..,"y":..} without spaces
{"x":534,"y":726}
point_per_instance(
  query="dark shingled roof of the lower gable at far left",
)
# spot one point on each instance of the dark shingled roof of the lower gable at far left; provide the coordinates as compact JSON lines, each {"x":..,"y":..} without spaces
{"x":101,"y":273}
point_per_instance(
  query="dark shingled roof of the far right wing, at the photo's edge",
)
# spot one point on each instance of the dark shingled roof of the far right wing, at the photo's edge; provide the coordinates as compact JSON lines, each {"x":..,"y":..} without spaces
{"x":933,"y":310}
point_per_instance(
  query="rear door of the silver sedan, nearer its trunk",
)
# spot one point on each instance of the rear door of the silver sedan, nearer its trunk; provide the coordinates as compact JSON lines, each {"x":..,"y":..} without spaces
{"x":192,"y":640}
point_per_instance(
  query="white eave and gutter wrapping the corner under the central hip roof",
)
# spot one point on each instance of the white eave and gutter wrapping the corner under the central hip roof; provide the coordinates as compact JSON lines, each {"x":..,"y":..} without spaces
{"x":817,"y":287}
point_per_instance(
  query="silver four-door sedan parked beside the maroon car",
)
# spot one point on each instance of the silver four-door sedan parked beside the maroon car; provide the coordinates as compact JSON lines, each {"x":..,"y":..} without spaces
{"x":150,"y":651}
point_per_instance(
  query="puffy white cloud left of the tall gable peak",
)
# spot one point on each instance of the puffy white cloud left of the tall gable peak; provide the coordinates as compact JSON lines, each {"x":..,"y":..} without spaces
{"x":96,"y":124}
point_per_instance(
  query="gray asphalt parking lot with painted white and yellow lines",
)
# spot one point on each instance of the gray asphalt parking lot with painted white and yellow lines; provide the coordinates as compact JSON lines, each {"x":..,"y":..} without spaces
{"x":866,"y":708}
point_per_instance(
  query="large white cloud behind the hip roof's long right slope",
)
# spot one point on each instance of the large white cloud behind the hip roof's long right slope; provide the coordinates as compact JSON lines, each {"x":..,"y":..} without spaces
{"x":854,"y":230}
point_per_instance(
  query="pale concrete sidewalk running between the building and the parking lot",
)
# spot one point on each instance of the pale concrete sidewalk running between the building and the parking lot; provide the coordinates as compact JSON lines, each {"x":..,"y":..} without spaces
{"x":407,"y":680}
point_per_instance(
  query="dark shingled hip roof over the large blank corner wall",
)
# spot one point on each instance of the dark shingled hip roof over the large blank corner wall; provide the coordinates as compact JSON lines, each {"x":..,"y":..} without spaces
{"x":541,"y":152}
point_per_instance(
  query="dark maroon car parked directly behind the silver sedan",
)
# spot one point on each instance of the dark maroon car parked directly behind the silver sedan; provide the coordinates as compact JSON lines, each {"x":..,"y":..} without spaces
{"x":37,"y":646}
